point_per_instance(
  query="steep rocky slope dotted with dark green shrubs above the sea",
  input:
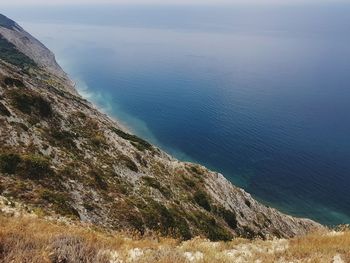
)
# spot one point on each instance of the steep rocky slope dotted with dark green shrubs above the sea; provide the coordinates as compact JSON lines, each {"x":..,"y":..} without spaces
{"x":60,"y":156}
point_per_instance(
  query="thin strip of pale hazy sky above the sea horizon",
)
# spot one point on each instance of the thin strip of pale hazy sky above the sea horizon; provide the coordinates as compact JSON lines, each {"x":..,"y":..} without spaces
{"x":75,"y":2}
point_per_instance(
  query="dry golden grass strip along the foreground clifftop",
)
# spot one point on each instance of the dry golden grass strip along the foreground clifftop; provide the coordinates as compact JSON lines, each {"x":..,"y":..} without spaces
{"x":30,"y":239}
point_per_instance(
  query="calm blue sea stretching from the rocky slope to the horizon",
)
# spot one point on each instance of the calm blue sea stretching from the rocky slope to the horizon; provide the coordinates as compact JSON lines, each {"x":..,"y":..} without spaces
{"x":261,"y":94}
